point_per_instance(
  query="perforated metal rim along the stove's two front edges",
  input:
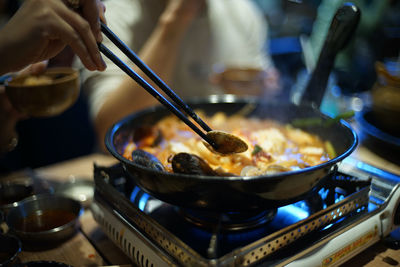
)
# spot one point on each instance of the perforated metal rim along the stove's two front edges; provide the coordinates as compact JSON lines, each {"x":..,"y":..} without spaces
{"x":171,"y":249}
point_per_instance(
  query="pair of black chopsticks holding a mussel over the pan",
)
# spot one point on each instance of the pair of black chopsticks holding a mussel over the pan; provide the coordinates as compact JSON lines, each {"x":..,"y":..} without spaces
{"x":146,"y":70}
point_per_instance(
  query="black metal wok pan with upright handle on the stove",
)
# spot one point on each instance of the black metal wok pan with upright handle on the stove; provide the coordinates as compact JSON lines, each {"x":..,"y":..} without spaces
{"x":226,"y":194}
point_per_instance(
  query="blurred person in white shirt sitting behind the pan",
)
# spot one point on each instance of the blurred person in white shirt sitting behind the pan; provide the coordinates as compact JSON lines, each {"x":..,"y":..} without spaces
{"x":184,"y":42}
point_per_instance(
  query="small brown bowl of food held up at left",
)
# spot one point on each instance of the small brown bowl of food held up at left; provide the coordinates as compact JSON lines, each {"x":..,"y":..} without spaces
{"x":48,"y":94}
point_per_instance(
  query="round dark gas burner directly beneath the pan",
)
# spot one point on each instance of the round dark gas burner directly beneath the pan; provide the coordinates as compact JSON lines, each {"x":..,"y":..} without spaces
{"x":228,"y":221}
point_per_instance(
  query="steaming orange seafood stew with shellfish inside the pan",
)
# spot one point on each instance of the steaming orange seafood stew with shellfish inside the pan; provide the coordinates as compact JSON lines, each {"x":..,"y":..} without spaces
{"x":272,"y":147}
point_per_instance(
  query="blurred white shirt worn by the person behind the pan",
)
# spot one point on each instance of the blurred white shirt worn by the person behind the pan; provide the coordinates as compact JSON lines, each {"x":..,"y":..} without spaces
{"x":230,"y":33}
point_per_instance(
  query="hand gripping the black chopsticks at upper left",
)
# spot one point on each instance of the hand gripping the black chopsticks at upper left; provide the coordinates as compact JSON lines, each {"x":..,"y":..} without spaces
{"x":40,"y":29}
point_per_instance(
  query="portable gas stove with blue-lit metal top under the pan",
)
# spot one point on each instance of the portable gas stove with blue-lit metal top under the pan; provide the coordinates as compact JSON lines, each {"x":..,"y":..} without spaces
{"x":355,"y":208}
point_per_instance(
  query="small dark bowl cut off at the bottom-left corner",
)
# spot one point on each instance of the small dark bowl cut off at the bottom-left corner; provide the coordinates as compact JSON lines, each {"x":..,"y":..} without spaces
{"x":10,"y":247}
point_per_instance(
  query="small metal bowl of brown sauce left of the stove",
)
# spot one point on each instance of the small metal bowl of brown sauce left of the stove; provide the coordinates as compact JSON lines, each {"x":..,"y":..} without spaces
{"x":44,"y":218}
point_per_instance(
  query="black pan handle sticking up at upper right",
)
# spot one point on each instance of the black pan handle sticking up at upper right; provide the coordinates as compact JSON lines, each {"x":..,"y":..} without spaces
{"x":343,"y":26}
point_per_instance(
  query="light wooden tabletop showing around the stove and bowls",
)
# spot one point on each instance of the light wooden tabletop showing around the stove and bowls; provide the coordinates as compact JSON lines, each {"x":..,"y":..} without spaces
{"x":91,"y":247}
